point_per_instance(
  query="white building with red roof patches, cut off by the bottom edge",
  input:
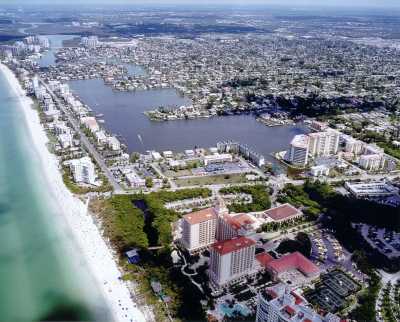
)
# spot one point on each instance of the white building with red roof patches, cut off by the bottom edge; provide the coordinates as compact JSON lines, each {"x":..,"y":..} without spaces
{"x":278,"y":304}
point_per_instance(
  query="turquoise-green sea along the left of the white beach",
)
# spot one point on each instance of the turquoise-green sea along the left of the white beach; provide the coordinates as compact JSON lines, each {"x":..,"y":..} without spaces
{"x":42,"y":274}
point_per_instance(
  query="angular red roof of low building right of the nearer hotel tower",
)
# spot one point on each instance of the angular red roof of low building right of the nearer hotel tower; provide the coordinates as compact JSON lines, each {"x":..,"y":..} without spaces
{"x":293,"y":261}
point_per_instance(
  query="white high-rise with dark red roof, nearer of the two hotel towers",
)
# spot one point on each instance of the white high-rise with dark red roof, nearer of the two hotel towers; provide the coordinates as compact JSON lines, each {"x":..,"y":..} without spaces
{"x":231,"y":260}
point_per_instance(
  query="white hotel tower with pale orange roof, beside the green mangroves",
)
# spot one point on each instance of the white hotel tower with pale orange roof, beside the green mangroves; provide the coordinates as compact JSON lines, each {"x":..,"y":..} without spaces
{"x":199,"y":229}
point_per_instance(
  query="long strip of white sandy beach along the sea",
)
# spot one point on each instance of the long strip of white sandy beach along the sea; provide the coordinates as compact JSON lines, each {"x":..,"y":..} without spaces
{"x":92,"y":246}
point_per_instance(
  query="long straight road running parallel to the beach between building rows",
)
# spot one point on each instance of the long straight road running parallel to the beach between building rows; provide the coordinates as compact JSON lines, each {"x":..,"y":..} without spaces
{"x":85,"y":141}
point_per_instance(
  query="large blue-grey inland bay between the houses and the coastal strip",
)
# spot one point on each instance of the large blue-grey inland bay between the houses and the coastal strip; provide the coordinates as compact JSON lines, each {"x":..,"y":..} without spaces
{"x":123,"y":115}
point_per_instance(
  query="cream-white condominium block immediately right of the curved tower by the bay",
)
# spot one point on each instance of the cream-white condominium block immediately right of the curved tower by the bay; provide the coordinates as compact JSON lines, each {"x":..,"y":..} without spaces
{"x":324,"y":143}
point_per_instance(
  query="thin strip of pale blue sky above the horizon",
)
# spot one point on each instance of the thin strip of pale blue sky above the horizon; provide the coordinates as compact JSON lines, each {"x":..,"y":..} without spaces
{"x":319,"y":3}
